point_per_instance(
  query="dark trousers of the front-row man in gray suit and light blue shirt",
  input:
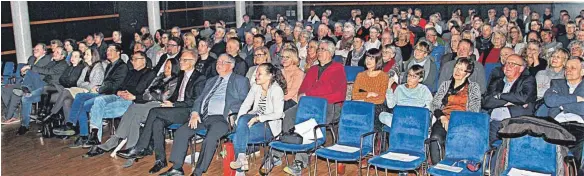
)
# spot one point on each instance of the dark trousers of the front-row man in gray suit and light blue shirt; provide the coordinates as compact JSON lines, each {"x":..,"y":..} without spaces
{"x":216,"y":125}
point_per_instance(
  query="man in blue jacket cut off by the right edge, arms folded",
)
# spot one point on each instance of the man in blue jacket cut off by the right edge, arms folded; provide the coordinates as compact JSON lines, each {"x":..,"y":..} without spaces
{"x":565,"y":98}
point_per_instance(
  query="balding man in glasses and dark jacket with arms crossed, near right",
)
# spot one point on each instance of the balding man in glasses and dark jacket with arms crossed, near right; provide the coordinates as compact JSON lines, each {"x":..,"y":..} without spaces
{"x":511,"y":96}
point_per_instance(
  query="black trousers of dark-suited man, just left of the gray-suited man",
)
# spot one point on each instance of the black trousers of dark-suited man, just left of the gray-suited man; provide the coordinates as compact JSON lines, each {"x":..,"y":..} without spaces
{"x":158,"y":119}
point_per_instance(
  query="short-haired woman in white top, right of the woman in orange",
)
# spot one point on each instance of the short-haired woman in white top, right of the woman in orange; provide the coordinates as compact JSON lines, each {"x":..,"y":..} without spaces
{"x":411,"y":93}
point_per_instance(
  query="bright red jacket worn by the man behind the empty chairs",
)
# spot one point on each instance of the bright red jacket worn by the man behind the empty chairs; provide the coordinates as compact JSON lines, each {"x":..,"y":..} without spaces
{"x":332,"y":84}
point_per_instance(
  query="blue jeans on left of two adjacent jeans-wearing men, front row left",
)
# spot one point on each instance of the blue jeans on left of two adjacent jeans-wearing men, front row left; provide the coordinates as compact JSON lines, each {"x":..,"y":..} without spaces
{"x":81,"y":105}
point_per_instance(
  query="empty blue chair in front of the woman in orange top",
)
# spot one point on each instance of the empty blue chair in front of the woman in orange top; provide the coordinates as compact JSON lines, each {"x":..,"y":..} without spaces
{"x":355,"y":130}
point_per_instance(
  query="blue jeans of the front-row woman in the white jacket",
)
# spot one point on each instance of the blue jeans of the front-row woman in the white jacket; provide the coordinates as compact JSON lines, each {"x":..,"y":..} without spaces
{"x":244,"y":134}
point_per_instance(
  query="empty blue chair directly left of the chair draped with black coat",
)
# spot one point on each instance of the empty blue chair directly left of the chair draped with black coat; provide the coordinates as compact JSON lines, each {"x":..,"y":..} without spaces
{"x":467,"y":139}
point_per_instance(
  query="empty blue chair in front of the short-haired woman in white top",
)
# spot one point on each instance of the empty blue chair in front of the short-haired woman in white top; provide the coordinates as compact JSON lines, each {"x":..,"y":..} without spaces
{"x":408,"y":133}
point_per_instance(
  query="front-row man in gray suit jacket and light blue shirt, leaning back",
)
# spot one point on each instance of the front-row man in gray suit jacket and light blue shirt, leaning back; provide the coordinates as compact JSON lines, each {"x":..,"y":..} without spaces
{"x":222,"y":96}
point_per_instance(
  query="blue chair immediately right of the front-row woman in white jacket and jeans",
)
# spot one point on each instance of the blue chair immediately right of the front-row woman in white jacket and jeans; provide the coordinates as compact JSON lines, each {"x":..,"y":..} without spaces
{"x":308,"y":108}
